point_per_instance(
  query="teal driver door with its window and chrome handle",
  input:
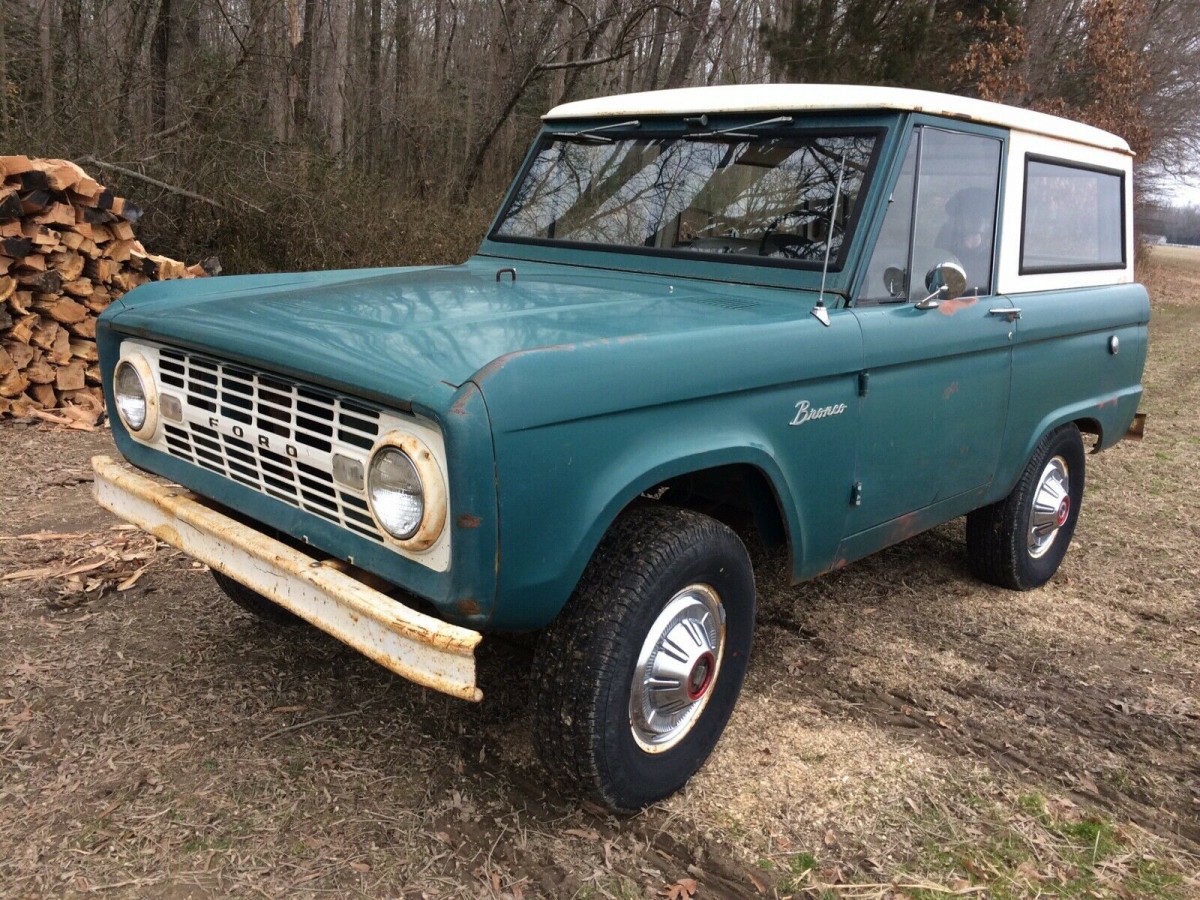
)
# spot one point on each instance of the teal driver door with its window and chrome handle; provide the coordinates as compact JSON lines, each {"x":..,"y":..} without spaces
{"x":935,"y":380}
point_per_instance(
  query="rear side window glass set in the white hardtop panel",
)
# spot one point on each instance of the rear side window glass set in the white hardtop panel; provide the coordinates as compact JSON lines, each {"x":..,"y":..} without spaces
{"x":1073,"y":220}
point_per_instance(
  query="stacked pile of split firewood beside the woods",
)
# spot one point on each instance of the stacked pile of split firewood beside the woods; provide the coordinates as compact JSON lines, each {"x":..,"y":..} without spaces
{"x":68,"y":250}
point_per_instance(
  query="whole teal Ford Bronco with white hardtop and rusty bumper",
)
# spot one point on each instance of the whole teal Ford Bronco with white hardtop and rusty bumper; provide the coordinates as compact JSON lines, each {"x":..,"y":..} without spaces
{"x":843,"y":315}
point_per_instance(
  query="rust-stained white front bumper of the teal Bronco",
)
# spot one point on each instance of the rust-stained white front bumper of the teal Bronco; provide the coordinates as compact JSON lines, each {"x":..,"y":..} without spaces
{"x":419,"y":647}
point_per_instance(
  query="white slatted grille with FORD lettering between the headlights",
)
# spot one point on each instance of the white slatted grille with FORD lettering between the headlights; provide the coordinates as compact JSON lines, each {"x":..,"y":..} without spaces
{"x":272,"y":435}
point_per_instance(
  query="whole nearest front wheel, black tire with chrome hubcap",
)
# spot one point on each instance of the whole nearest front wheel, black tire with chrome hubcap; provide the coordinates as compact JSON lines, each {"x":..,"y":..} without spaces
{"x":637,"y":679}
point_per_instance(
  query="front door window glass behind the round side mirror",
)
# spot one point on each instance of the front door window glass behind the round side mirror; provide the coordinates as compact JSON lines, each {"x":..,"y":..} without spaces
{"x":944,"y":209}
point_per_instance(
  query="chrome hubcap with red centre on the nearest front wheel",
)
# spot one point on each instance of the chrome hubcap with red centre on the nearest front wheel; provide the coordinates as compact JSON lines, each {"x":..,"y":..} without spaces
{"x":677,"y":668}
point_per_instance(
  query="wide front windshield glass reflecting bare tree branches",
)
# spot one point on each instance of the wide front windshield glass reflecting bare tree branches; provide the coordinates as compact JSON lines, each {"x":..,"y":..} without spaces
{"x":769,"y":197}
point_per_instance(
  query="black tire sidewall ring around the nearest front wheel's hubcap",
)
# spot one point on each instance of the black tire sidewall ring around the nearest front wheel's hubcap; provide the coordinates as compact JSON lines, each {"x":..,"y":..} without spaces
{"x":635,"y":777}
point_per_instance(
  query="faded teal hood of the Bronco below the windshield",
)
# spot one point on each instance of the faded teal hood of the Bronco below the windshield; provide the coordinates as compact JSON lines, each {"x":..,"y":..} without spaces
{"x":400,"y":334}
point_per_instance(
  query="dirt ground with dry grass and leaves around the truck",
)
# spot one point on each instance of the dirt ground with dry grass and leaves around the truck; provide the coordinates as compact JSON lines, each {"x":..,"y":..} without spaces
{"x":904,"y":730}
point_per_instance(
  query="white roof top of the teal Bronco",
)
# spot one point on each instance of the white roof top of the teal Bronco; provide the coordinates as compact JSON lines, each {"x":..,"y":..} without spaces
{"x":820,"y":98}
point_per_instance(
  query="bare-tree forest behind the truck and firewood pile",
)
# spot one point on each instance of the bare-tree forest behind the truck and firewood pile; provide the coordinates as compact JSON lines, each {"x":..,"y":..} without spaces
{"x":334,"y":134}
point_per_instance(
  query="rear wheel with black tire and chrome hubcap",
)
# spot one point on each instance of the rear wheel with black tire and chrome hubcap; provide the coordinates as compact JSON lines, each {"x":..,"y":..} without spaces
{"x":1021,"y":542}
